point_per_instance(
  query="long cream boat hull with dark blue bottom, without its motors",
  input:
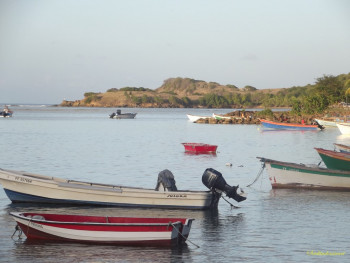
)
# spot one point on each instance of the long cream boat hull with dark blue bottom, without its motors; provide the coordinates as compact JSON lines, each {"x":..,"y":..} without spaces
{"x":21,"y":187}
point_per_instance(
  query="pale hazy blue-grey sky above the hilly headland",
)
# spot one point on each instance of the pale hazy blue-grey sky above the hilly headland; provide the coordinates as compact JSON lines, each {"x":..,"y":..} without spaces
{"x":51,"y":50}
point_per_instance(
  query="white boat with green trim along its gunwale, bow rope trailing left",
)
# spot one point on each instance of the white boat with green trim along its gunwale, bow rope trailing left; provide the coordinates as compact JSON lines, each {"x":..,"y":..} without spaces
{"x":292,"y":175}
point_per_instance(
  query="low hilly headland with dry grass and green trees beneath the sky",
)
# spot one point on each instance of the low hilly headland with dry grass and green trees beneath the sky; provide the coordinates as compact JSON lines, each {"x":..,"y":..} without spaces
{"x":312,"y":99}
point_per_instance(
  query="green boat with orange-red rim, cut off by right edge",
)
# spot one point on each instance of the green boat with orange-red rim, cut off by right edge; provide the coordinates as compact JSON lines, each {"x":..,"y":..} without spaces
{"x":335,"y":160}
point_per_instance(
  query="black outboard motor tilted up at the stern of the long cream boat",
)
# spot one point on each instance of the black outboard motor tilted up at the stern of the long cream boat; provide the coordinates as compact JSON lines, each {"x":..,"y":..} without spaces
{"x":215,"y":181}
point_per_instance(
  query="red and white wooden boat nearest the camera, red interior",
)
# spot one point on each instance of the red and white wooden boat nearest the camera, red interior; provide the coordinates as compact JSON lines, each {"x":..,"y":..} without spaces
{"x":104,"y":229}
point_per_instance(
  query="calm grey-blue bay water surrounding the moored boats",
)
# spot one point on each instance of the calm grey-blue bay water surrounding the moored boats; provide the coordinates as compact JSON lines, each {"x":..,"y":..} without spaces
{"x":84,"y":144}
